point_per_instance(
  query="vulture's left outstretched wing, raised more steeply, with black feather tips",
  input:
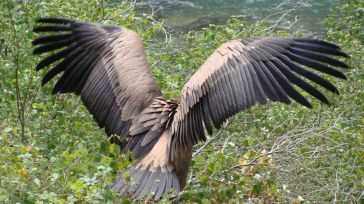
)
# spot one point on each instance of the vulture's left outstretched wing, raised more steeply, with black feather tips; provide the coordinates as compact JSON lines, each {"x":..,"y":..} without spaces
{"x":106,"y":65}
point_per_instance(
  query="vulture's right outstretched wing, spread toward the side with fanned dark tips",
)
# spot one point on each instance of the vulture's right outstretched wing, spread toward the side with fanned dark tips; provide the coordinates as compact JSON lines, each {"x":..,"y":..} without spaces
{"x":241,"y":73}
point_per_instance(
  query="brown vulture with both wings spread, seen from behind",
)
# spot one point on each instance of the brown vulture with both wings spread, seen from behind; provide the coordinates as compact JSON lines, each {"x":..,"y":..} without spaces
{"x":106,"y":66}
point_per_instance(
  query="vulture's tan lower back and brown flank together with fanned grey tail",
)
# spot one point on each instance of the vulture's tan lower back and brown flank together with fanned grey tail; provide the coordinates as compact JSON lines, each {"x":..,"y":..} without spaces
{"x":155,"y":175}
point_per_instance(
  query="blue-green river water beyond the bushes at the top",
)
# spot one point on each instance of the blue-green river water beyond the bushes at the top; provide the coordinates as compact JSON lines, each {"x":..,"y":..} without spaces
{"x":194,"y":14}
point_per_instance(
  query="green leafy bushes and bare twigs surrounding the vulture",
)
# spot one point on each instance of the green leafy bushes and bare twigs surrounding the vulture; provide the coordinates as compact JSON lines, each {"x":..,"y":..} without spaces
{"x":51,"y":151}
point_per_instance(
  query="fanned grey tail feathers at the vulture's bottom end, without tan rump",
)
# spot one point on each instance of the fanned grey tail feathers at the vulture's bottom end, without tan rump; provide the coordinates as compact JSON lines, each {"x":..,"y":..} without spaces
{"x":147,"y":184}
